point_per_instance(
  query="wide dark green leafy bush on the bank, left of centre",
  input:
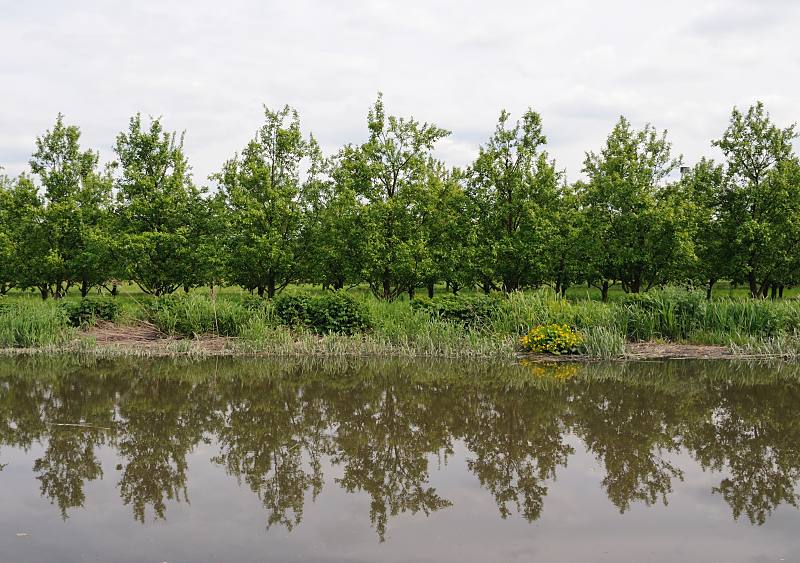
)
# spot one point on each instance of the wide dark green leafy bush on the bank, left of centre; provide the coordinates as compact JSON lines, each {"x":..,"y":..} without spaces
{"x":336,"y":312}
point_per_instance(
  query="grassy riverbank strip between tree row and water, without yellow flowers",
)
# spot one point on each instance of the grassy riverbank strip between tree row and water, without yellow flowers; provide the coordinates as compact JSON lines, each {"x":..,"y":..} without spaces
{"x":665,"y":324}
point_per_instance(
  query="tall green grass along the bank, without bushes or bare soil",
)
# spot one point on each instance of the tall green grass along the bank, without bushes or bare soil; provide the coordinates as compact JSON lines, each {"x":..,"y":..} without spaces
{"x":748,"y":327}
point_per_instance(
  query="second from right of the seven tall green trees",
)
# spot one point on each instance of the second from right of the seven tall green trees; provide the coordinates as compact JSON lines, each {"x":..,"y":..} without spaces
{"x":632,"y":226}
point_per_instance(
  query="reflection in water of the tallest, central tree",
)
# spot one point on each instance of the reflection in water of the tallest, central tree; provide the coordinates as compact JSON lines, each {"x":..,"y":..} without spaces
{"x":384,"y":437}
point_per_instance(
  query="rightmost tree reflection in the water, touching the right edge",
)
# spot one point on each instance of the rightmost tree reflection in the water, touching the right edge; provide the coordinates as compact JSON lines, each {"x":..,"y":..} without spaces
{"x":753,"y":434}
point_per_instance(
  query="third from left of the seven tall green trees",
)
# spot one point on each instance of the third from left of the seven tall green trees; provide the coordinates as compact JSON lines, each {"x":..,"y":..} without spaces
{"x":262,"y":188}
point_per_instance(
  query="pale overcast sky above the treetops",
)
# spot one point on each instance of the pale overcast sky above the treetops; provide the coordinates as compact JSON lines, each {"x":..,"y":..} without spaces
{"x":207,"y":67}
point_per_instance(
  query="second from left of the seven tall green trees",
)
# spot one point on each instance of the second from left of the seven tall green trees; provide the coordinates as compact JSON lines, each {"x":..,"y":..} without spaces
{"x":155,"y":192}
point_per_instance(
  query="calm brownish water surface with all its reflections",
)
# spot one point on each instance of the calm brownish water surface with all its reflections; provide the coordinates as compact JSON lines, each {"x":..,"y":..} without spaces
{"x":144,"y":460}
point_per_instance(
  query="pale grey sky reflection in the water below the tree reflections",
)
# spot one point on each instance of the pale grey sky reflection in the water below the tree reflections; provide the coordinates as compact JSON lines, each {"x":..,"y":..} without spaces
{"x":225,"y":521}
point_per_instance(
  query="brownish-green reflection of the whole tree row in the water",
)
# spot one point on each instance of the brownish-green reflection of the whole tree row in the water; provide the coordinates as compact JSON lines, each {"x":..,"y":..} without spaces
{"x":383,"y":427}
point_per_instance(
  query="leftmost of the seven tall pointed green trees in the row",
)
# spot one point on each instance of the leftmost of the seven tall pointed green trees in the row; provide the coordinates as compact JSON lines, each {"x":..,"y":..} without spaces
{"x":77,"y":198}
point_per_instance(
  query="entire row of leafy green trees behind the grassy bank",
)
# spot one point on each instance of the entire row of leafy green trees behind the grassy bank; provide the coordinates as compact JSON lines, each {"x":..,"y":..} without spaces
{"x":389,"y":214}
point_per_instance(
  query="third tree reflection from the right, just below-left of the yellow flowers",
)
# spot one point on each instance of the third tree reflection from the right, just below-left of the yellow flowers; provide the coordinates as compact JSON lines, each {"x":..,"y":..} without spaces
{"x":516,"y":440}
